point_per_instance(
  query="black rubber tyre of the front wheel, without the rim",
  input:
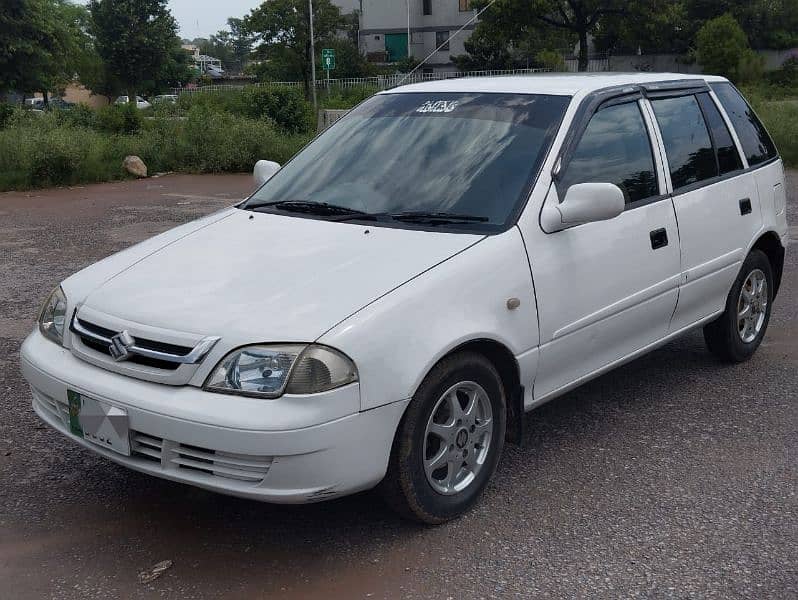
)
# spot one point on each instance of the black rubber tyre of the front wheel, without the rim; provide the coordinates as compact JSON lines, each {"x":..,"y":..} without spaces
{"x":406,"y":488}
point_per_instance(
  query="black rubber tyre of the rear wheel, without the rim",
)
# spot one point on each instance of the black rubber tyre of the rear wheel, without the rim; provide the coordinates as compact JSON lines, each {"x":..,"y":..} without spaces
{"x":723,"y":336}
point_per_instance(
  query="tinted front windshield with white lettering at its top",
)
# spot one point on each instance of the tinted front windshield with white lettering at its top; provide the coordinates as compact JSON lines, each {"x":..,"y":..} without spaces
{"x":467,"y":154}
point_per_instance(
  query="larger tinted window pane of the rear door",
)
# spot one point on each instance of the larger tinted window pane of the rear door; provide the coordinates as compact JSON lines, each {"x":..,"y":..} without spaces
{"x":691,"y":156}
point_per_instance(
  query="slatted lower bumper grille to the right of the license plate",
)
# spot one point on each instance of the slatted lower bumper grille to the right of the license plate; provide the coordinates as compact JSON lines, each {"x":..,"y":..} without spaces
{"x":214,"y":463}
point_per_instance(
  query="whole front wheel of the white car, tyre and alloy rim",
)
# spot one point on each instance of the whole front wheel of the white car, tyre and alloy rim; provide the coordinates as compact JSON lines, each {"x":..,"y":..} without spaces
{"x":449,"y":441}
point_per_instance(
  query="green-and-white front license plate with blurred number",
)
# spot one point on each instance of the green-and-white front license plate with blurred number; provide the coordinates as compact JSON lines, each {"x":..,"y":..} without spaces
{"x":99,"y":422}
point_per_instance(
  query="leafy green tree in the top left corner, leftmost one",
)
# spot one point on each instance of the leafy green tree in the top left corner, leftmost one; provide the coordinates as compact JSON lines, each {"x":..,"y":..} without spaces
{"x":41,"y":42}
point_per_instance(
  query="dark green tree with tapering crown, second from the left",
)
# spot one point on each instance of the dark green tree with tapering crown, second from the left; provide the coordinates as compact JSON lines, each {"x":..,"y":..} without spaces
{"x":134,"y":39}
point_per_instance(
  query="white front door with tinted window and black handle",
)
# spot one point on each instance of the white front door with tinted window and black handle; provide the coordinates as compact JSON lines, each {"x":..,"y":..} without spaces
{"x":606,"y":289}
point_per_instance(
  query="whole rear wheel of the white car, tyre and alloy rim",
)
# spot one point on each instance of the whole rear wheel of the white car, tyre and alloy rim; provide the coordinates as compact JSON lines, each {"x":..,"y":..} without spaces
{"x":737,"y":333}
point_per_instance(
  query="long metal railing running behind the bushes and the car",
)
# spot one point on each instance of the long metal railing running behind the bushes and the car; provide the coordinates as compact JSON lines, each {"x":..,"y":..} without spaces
{"x":382,"y":82}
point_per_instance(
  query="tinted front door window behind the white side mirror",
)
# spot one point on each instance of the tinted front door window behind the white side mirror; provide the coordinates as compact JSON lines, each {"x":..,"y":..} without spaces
{"x":615,"y":148}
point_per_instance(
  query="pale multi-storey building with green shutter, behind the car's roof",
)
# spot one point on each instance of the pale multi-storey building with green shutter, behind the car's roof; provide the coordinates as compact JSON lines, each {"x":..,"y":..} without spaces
{"x":383,"y":35}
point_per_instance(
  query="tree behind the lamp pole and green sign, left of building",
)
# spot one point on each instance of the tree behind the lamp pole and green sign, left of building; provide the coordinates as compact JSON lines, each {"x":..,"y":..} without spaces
{"x":281,"y":30}
